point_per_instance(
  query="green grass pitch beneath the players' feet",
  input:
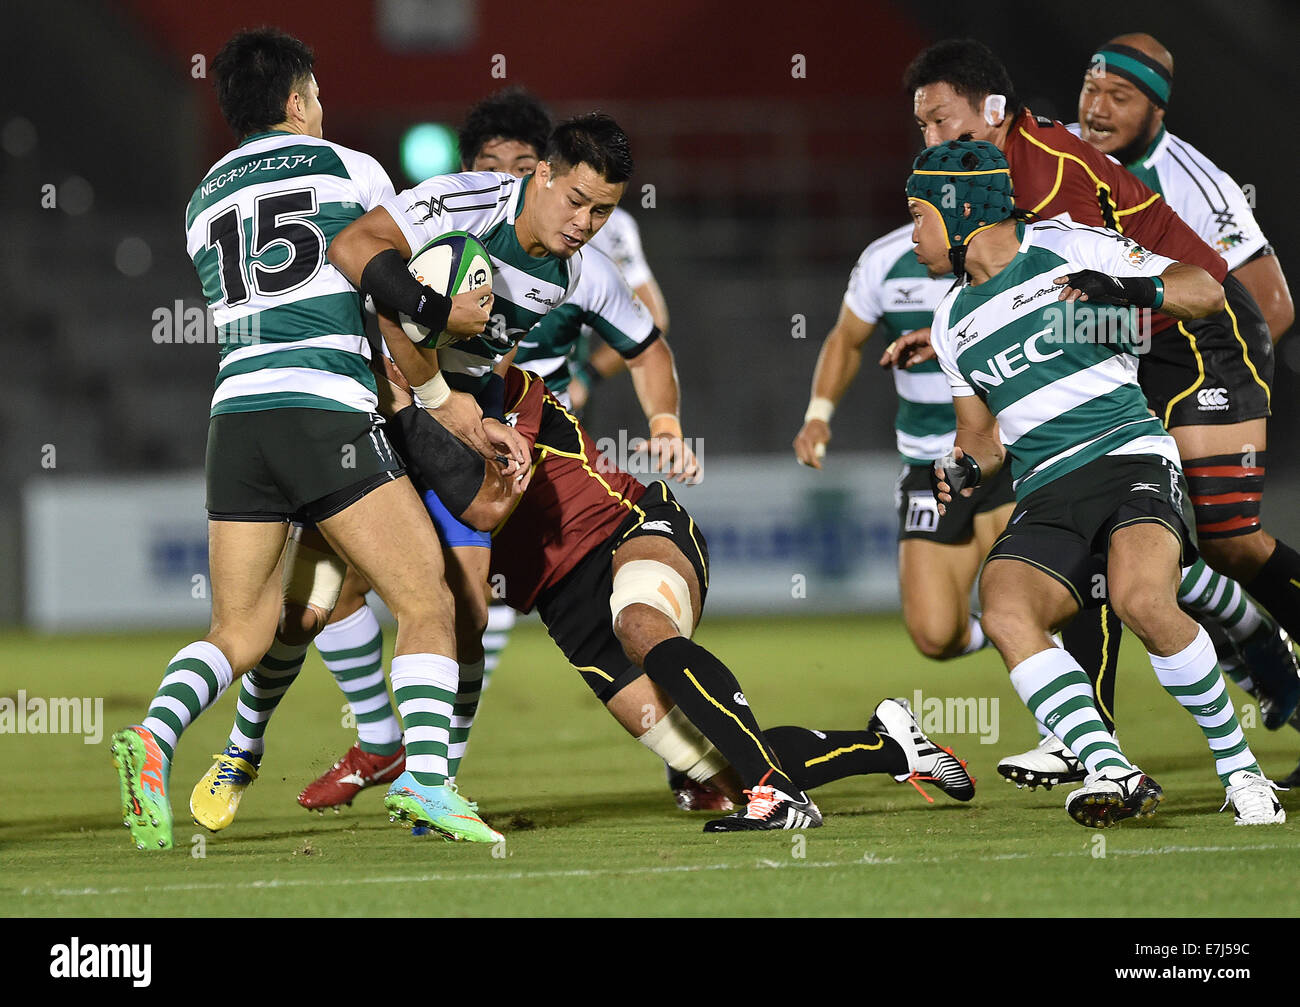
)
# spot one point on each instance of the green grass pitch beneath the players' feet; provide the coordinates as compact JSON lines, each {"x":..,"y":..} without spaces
{"x":590,"y":823}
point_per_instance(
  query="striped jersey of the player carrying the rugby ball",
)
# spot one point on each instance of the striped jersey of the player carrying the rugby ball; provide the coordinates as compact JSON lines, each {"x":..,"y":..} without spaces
{"x":487,"y":205}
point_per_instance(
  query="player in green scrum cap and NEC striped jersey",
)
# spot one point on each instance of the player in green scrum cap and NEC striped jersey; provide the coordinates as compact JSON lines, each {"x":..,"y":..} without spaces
{"x":1043,"y":371}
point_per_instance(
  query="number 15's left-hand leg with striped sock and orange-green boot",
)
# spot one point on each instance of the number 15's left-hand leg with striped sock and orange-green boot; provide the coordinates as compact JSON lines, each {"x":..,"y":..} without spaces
{"x":245,"y":561}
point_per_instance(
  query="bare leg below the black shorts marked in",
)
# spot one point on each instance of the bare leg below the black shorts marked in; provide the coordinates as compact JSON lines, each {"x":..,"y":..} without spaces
{"x":935,"y":581}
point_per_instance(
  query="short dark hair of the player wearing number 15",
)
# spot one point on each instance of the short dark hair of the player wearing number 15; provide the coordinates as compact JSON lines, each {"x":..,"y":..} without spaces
{"x":255,"y":73}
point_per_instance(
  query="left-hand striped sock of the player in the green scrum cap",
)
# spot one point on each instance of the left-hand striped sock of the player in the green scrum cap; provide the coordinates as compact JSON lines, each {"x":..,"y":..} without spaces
{"x":1059,"y":693}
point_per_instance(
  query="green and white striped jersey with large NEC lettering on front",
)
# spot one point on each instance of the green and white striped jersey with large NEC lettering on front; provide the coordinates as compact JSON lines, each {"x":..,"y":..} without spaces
{"x":1060,"y":377}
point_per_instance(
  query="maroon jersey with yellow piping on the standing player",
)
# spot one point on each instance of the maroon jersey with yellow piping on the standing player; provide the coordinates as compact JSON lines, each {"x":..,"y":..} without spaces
{"x":1056,"y":175}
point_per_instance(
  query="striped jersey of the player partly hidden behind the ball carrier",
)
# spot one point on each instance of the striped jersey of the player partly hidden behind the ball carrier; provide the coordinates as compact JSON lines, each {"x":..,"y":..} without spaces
{"x":603,"y":302}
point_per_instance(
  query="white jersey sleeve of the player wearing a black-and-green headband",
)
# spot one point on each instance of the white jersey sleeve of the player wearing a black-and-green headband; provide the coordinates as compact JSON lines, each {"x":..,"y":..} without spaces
{"x":1201,"y":193}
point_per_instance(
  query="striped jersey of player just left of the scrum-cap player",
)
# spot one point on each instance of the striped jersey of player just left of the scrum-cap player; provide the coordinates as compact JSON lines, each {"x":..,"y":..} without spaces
{"x":891,"y":290}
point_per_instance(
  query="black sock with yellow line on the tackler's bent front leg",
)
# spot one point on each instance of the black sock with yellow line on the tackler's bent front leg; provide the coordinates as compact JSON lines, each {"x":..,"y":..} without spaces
{"x":708,"y":695}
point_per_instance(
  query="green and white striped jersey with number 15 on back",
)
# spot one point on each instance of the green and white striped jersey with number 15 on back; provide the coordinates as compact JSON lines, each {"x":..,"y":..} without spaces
{"x":257,"y":231}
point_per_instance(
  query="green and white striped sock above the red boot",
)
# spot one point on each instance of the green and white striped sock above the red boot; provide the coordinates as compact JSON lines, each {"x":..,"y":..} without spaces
{"x":353,"y":650}
